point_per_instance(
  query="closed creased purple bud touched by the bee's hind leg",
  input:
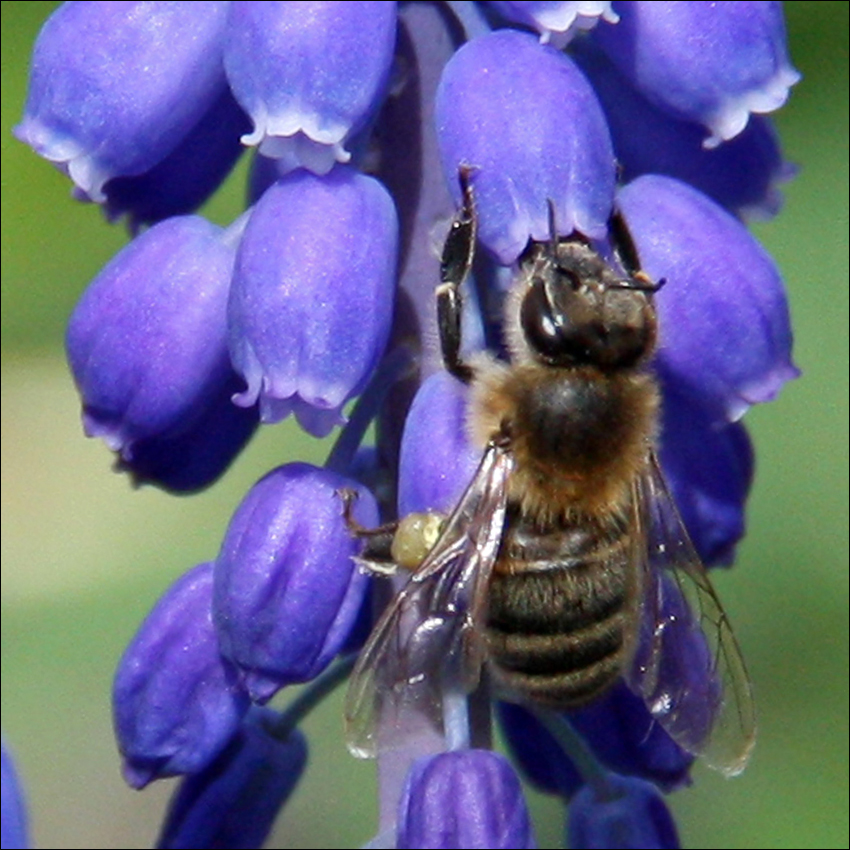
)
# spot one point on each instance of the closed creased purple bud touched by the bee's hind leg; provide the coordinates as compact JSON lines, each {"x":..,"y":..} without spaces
{"x":287,"y":592}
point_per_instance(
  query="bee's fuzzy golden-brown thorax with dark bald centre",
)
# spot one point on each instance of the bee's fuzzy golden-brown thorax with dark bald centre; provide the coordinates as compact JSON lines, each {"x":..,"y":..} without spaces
{"x":581,"y":437}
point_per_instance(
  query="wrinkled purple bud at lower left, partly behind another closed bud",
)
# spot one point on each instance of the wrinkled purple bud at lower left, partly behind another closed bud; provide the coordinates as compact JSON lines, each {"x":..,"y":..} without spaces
{"x":176,"y":701}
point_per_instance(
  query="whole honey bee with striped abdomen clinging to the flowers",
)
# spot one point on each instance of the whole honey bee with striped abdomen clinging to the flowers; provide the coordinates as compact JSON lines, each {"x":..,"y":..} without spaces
{"x":565,"y":564}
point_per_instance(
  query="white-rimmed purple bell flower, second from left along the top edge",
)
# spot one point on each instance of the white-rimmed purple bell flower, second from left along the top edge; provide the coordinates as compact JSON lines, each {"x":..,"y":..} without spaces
{"x":310,"y":75}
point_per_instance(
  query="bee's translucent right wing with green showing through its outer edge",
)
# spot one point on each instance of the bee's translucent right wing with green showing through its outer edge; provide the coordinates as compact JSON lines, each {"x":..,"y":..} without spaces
{"x":688,"y":666}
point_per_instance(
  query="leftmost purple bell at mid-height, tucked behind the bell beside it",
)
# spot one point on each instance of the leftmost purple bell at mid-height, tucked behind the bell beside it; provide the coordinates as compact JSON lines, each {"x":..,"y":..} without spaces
{"x":147,"y":342}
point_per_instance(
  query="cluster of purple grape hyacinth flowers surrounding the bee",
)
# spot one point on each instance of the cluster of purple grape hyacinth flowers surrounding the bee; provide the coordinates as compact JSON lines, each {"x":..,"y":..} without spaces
{"x":322,"y":292}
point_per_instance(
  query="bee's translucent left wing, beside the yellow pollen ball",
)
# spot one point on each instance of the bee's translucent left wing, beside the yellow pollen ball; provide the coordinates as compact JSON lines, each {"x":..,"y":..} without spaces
{"x":428,"y":643}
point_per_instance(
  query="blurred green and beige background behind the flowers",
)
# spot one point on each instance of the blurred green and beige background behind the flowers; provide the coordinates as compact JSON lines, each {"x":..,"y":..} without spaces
{"x":84,"y":556}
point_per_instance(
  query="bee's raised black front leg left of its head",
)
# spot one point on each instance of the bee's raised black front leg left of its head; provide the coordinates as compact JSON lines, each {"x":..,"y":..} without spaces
{"x":456,"y":262}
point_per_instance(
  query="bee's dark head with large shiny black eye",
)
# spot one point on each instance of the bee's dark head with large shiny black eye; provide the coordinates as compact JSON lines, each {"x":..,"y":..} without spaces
{"x":575,"y":310}
